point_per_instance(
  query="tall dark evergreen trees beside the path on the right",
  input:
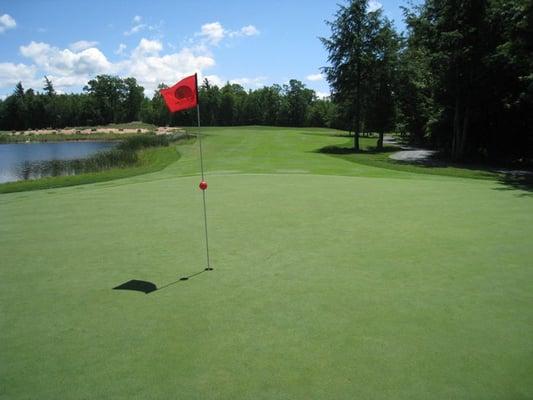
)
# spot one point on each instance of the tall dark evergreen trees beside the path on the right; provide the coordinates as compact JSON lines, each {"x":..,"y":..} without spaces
{"x":460,"y":78}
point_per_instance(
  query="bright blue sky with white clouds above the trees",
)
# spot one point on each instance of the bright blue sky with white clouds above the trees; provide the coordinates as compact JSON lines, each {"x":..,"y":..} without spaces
{"x":253,"y":43}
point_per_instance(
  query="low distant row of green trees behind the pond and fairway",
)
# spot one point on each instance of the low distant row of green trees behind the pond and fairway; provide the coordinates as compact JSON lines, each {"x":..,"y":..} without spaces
{"x":110,"y":99}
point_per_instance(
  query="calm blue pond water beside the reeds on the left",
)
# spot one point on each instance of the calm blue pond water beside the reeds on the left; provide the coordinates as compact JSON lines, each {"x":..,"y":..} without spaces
{"x":14,"y":157}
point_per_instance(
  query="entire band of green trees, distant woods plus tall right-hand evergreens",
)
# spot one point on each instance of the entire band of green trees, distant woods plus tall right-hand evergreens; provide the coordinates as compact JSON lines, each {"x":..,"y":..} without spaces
{"x":460,"y":79}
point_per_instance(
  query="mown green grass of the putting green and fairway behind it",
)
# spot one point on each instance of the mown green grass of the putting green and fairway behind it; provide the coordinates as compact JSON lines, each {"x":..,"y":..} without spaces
{"x":333,"y":280}
